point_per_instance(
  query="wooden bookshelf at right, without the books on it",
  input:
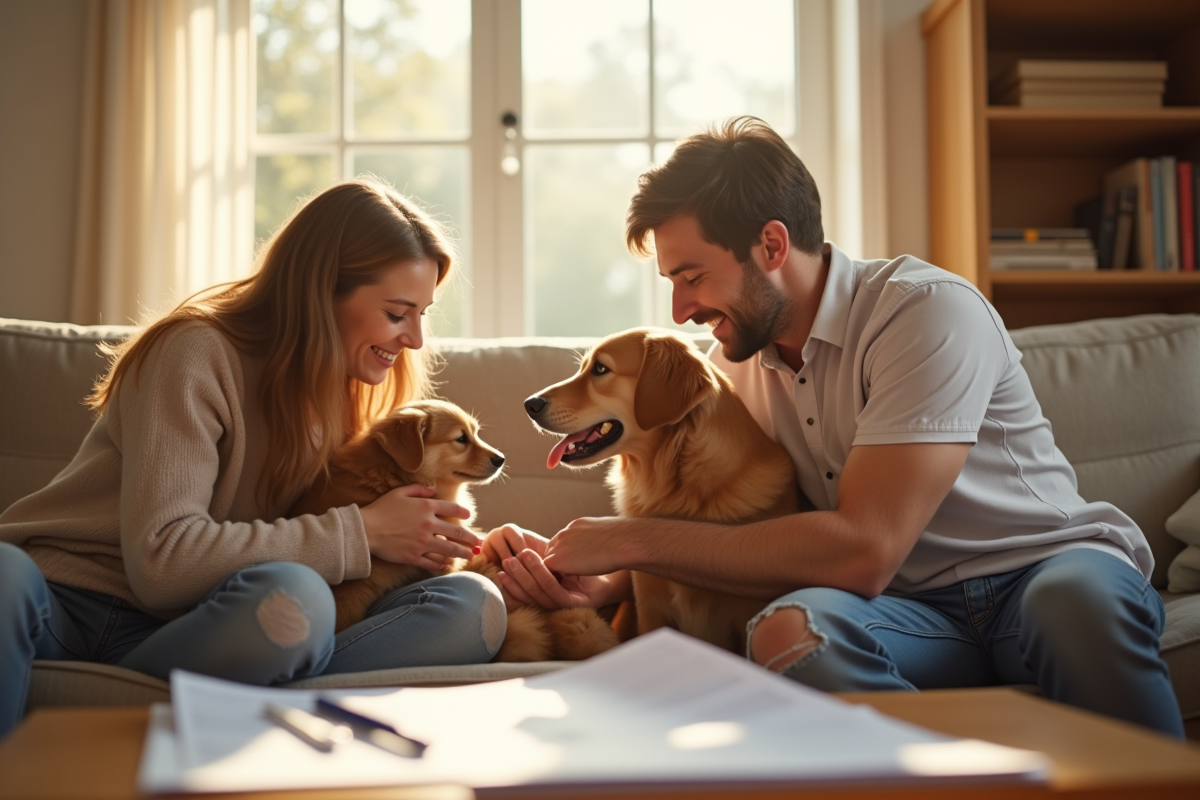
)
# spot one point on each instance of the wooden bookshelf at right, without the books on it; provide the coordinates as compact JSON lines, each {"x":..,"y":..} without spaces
{"x":1010,"y":167}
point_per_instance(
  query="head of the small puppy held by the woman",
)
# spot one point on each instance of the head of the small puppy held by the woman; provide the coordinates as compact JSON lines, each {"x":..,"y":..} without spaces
{"x":439,"y":443}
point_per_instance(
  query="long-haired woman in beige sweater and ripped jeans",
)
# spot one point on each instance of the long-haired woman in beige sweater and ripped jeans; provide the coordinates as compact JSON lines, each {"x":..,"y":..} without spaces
{"x":163,"y":545}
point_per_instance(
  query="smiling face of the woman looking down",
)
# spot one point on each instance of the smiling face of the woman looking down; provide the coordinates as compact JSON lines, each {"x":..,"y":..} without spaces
{"x":381,"y":320}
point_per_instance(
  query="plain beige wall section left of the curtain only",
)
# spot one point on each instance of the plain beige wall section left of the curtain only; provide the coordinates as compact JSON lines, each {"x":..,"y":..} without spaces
{"x":41,"y":109}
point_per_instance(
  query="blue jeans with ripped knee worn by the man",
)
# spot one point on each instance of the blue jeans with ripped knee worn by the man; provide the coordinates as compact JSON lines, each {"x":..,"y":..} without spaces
{"x":1083,"y":625}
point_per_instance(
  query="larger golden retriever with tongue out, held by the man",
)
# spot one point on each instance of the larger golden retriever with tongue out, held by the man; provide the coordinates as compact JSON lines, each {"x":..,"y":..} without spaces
{"x":683,"y":448}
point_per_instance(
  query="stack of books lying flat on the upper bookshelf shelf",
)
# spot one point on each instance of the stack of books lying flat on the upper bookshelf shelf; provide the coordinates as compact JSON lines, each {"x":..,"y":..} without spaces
{"x":1034,"y":83}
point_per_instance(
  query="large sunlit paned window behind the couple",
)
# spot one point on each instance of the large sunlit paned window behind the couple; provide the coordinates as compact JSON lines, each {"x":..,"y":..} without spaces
{"x":523,"y":124}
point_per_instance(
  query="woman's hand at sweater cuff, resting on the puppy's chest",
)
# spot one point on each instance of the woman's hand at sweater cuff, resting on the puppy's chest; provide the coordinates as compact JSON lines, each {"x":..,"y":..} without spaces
{"x":404,"y":527}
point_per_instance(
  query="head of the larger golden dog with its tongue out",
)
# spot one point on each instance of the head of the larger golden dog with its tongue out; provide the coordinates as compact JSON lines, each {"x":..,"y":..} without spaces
{"x":629,"y":386}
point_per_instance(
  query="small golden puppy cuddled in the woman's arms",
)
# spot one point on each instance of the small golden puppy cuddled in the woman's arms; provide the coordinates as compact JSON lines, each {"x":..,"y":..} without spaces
{"x":437,"y":444}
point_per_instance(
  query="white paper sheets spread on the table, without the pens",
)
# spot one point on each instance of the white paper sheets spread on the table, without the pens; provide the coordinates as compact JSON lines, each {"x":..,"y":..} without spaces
{"x":661,"y":709}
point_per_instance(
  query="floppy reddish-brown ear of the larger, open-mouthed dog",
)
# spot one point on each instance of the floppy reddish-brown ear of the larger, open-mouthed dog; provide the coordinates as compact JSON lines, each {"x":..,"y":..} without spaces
{"x":673,"y":381}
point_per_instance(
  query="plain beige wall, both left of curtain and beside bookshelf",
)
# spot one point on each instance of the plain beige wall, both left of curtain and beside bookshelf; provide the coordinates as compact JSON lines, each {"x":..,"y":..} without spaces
{"x":41,"y":101}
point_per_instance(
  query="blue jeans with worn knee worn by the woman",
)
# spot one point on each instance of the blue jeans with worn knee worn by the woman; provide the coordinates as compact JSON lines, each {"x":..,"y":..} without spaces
{"x":262,"y":625}
